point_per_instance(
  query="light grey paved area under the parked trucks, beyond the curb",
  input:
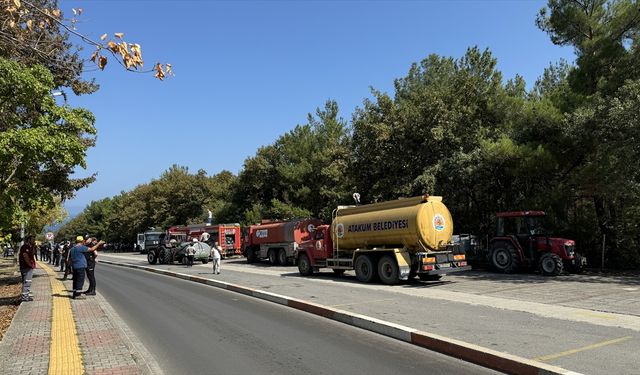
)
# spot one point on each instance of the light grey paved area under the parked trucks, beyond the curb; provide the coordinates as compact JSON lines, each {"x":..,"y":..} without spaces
{"x":501,"y":312}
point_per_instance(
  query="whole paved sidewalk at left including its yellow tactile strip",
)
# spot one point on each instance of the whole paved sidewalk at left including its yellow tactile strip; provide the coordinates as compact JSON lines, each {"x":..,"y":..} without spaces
{"x":57,"y":335}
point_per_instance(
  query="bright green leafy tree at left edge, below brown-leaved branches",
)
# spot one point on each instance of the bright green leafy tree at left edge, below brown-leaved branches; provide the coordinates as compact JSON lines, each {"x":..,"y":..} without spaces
{"x":41,"y":143}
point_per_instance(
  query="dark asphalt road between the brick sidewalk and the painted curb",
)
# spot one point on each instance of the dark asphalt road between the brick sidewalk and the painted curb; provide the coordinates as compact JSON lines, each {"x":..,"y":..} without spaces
{"x":192,"y":329}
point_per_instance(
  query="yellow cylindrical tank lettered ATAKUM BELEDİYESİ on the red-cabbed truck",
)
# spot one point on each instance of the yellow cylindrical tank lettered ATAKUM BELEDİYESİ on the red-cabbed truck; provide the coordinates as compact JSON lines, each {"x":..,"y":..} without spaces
{"x":418,"y":224}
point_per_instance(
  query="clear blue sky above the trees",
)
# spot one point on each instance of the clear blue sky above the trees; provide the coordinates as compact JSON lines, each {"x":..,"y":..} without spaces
{"x":249,"y":71}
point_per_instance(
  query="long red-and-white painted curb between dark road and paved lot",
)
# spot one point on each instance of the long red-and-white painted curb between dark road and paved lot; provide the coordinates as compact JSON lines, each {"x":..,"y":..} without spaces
{"x":478,"y":355}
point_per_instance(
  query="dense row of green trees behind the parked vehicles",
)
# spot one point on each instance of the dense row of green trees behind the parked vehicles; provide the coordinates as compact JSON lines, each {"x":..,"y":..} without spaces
{"x":455,"y":127}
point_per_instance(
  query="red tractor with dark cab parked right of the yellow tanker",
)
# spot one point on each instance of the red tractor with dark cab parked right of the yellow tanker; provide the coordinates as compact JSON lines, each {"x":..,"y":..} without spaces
{"x":522,"y":242}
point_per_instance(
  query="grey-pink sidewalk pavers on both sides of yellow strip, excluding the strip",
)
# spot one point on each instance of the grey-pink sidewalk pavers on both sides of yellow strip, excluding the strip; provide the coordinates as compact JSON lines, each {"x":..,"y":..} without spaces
{"x":107,"y":345}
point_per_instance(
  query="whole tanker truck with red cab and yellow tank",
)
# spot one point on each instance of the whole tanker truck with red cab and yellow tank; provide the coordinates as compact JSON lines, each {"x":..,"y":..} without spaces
{"x":392,"y":241}
